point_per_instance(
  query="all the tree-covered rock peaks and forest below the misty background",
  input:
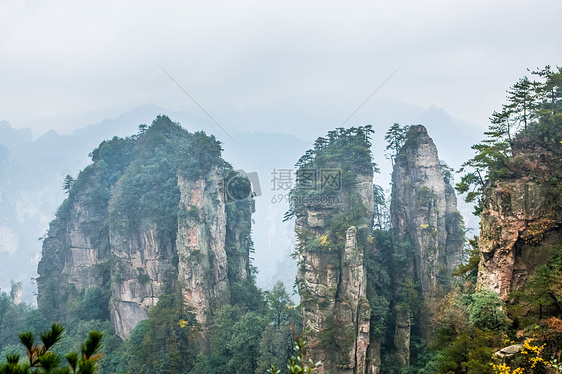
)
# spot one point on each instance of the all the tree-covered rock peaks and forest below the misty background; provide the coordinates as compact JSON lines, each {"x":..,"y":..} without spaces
{"x":153,"y":247}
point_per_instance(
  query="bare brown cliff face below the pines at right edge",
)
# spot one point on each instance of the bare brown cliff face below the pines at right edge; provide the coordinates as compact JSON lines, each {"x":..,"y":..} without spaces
{"x":520,"y":222}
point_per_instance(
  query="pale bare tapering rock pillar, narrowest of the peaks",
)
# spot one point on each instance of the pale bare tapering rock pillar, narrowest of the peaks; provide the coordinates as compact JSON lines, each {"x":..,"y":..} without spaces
{"x":424,"y":210}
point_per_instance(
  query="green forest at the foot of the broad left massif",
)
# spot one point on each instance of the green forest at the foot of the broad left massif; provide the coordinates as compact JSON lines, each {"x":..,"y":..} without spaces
{"x":243,"y":338}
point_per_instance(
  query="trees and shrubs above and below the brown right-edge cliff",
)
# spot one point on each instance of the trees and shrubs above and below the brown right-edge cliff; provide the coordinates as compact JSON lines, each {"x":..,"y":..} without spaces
{"x":523,"y":144}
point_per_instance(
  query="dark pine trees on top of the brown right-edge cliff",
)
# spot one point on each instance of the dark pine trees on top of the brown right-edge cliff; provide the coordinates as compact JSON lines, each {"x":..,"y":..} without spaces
{"x":531,"y":117}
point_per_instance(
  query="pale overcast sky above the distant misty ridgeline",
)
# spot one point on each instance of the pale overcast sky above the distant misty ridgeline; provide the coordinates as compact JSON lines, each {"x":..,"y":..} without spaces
{"x":68,"y":56}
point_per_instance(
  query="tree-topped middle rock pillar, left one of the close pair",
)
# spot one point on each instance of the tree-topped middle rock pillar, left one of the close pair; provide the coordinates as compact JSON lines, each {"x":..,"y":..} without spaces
{"x":333,"y":223}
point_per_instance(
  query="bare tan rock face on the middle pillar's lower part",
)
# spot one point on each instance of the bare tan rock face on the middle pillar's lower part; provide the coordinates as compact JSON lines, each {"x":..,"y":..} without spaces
{"x":332,"y":284}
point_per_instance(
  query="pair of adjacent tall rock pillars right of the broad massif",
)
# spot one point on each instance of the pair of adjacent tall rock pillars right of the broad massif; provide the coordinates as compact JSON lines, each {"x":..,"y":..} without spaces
{"x":342,"y":274}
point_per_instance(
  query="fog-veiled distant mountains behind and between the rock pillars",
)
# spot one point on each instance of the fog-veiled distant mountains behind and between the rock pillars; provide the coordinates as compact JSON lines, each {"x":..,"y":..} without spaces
{"x":264,"y":140}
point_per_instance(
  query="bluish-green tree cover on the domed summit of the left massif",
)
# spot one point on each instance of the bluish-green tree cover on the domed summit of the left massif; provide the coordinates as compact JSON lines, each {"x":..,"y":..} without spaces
{"x":143,"y":174}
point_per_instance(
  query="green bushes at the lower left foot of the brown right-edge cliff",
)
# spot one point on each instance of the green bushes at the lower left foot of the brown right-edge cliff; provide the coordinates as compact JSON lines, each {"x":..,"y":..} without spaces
{"x":469,"y":326}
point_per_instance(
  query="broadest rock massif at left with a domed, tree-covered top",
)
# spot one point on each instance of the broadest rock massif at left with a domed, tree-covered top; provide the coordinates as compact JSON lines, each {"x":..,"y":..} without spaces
{"x":151,"y":216}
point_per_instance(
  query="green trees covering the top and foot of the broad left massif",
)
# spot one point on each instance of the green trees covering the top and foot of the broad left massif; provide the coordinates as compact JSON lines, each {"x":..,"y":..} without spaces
{"x":132,"y":182}
